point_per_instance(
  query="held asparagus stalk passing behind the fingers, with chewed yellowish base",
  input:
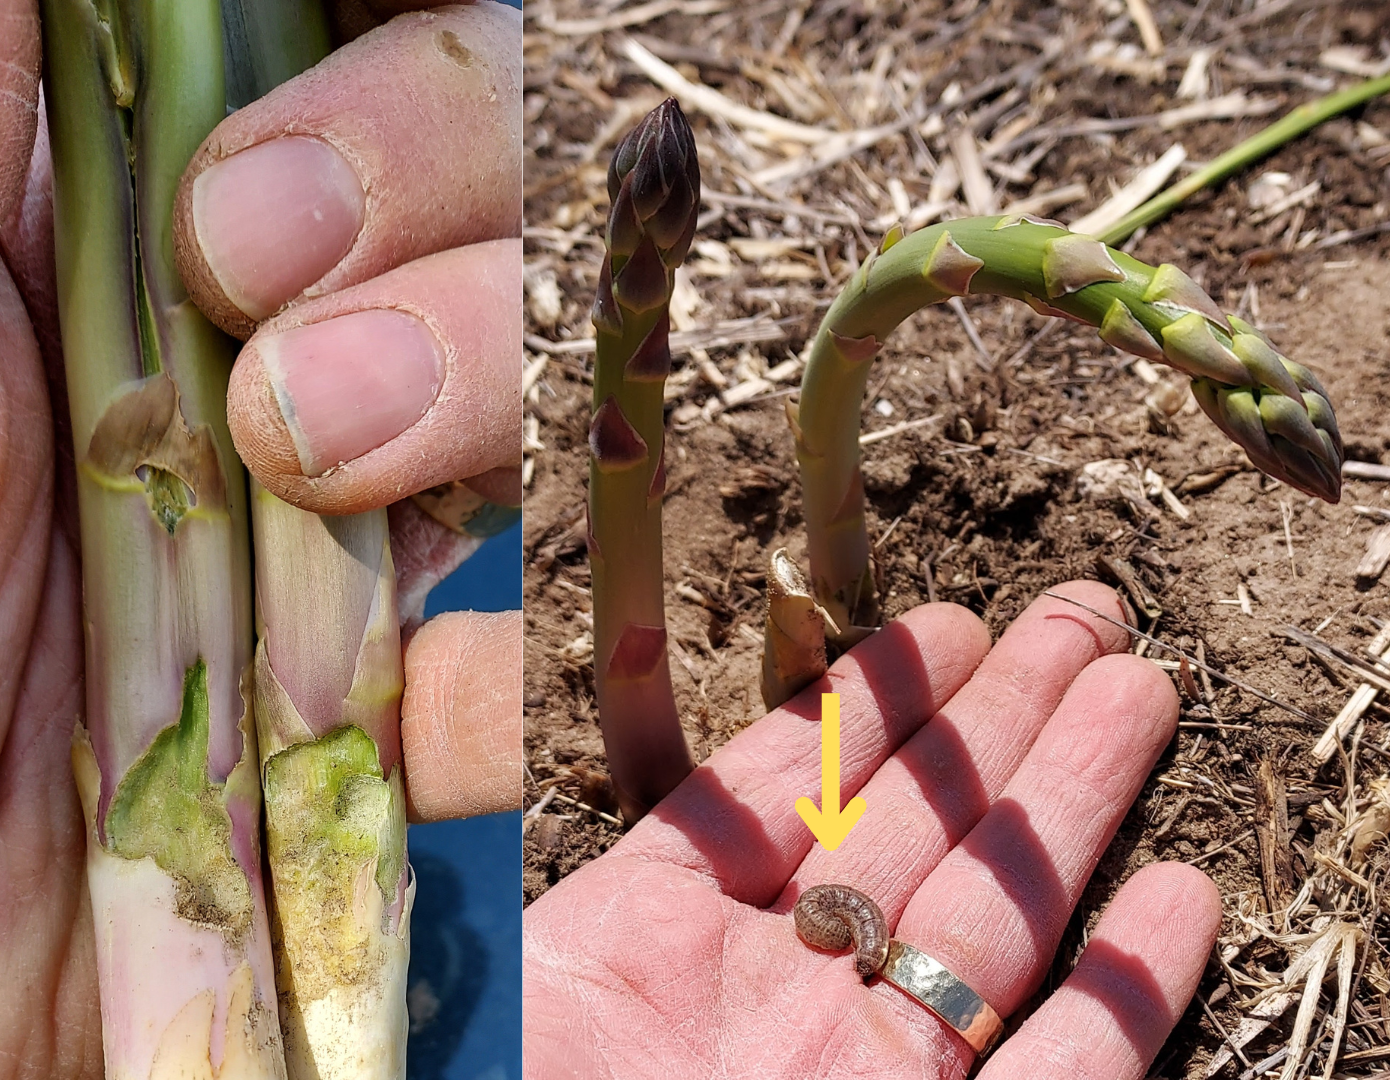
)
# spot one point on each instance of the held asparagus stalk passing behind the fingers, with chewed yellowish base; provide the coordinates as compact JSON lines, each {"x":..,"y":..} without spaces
{"x":329,"y":685}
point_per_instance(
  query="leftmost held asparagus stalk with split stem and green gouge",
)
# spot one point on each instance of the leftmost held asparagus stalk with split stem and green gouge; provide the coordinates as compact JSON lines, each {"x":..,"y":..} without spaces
{"x":166,"y":765}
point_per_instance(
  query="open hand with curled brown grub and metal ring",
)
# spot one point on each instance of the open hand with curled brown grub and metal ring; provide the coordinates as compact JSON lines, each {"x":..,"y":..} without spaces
{"x":675,"y":954}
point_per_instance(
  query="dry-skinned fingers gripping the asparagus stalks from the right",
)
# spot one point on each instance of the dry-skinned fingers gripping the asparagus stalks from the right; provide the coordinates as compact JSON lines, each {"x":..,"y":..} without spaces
{"x":362,"y":226}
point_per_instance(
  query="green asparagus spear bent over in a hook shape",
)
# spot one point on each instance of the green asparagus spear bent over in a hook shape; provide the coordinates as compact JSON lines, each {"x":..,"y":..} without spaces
{"x":1274,"y":408}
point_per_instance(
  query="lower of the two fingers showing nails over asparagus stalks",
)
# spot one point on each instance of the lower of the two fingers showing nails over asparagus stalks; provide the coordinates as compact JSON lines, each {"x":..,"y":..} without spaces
{"x":350,"y":402}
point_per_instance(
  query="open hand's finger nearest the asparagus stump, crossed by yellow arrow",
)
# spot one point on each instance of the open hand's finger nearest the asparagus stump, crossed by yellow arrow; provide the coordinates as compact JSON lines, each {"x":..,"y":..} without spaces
{"x":735,"y":818}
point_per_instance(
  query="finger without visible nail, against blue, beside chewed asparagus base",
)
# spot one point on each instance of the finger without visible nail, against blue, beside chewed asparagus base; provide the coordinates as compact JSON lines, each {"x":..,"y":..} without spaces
{"x":461,"y":721}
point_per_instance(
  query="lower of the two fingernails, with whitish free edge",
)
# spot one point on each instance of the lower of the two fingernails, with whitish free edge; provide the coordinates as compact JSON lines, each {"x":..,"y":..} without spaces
{"x":351,"y":384}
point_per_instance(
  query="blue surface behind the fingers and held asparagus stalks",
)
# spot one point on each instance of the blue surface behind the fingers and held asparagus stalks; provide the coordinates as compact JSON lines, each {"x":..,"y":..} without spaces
{"x":466,"y":929}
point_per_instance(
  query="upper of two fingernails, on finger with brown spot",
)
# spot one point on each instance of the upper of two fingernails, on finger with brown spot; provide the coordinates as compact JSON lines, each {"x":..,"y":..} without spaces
{"x":275,"y":219}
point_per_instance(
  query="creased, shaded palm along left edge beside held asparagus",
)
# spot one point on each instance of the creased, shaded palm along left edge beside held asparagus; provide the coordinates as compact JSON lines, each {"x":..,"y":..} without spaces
{"x":52,"y":1026}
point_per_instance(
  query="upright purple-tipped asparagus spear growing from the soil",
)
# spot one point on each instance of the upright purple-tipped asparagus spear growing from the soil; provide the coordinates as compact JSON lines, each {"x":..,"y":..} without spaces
{"x":654,"y":183}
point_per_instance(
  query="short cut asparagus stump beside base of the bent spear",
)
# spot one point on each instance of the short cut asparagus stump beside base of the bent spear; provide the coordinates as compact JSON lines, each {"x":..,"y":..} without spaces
{"x":794,"y":633}
